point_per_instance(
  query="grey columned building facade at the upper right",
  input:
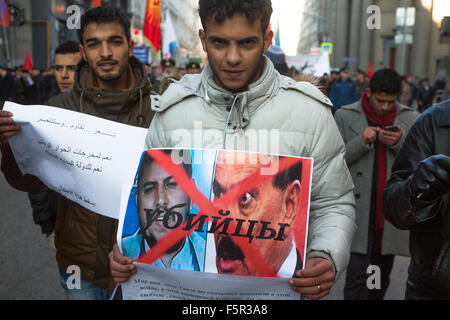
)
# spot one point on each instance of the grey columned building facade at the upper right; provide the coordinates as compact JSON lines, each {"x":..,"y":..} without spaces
{"x":364,"y":31}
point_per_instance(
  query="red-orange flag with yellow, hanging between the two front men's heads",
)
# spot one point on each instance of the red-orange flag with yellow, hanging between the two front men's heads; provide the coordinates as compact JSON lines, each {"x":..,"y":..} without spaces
{"x":152,"y":25}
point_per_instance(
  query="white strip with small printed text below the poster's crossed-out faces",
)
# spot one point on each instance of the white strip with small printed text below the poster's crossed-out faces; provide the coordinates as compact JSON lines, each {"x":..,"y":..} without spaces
{"x":155,"y":283}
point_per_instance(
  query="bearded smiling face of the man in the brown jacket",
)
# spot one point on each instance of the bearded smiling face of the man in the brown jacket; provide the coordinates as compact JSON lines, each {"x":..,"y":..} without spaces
{"x":106,"y":50}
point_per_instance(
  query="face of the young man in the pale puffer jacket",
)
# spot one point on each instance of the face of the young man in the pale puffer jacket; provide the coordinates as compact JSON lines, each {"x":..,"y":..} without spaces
{"x":235,"y":50}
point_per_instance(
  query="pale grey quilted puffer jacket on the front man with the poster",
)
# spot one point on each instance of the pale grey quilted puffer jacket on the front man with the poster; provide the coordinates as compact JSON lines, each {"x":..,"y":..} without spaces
{"x":276,"y":115}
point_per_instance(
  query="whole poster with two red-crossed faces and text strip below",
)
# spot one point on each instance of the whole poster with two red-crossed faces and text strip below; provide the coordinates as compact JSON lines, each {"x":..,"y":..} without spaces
{"x":208,"y":224}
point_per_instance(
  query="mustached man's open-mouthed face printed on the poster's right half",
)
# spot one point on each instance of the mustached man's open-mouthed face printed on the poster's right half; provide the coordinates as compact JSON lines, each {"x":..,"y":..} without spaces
{"x":263,"y":203}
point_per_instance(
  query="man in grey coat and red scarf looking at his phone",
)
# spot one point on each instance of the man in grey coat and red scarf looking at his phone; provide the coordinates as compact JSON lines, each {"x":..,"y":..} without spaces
{"x":373,"y":130}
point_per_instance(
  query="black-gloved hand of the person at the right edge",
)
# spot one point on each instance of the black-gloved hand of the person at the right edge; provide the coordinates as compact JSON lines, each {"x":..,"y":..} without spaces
{"x":432,"y":178}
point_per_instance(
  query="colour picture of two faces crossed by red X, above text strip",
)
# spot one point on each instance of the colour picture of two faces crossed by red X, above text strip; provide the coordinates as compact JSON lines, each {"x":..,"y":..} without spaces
{"x":251,"y":212}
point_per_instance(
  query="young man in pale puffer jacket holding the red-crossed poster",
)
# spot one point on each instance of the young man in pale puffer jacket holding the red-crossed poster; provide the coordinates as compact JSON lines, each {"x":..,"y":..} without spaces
{"x":239,"y":102}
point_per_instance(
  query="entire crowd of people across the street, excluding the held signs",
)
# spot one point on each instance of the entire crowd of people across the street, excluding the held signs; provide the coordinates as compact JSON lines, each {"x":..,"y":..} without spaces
{"x":379,"y":164}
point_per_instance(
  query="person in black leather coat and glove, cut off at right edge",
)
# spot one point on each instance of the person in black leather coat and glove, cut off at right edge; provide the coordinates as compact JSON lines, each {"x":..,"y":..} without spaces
{"x":417,"y":198}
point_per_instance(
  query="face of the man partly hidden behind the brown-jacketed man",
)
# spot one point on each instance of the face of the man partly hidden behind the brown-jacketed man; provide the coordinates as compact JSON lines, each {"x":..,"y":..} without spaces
{"x":65,"y":66}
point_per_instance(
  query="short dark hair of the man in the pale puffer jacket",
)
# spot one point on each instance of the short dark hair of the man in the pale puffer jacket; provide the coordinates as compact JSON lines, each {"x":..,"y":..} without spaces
{"x":223,"y":9}
